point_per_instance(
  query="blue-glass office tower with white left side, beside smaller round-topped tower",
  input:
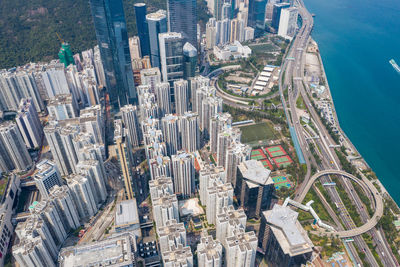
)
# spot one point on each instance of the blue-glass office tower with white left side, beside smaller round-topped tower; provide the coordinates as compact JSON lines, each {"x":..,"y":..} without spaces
{"x":171,"y":56}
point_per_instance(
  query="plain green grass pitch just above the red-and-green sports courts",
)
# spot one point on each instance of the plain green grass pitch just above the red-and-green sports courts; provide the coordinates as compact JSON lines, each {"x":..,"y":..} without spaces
{"x":257,"y":132}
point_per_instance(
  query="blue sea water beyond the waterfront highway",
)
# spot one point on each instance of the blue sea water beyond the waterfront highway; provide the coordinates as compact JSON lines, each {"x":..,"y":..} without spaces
{"x":357,"y":38}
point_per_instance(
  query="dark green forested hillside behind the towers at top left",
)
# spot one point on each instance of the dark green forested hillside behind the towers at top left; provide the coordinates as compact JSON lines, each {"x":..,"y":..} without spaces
{"x":28,"y":27}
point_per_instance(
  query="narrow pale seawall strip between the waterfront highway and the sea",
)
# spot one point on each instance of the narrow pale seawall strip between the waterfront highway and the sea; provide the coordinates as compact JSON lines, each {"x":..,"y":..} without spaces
{"x":342,"y":133}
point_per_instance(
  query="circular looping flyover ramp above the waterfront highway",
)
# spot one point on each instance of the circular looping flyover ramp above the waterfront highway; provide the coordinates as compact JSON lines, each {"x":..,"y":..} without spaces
{"x":371,"y":223}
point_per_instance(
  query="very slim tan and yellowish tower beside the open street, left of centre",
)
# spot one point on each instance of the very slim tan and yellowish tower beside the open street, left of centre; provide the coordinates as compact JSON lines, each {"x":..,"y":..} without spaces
{"x":124,"y":156}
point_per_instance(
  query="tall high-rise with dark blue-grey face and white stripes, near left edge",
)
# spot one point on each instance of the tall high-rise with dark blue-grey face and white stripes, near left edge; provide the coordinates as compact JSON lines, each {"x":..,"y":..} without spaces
{"x":29,"y":124}
